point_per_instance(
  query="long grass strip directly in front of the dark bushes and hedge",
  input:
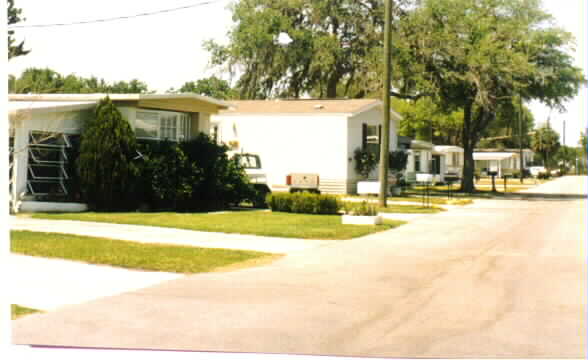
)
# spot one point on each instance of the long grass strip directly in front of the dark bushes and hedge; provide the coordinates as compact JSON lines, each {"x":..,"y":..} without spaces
{"x":325,"y":227}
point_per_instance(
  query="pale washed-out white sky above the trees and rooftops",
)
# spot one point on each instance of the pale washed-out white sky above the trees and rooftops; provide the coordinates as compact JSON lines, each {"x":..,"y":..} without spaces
{"x":165,"y":50}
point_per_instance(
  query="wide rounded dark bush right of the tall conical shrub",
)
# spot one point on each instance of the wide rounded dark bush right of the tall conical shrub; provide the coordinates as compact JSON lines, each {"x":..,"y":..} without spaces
{"x":195,"y":175}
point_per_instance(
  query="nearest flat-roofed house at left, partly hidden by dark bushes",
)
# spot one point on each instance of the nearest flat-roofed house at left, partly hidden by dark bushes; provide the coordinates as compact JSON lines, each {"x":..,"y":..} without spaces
{"x":43,"y":128}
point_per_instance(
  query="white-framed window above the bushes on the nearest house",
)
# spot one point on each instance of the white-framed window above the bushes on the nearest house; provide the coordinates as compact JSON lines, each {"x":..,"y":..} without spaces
{"x":162,"y":125}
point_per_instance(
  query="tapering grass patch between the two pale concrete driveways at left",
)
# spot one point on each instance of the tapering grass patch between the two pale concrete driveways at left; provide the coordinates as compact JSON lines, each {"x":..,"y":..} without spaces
{"x":127,"y":254}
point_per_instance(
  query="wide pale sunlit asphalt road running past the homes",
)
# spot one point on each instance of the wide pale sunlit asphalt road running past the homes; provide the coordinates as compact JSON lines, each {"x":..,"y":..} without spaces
{"x":500,"y":278}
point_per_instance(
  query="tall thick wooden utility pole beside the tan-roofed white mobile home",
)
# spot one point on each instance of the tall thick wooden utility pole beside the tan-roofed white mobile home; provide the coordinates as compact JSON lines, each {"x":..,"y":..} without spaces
{"x":385,"y":143}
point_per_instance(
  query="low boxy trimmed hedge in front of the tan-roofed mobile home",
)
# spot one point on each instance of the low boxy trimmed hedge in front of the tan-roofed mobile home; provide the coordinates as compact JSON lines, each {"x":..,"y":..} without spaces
{"x":303,"y":203}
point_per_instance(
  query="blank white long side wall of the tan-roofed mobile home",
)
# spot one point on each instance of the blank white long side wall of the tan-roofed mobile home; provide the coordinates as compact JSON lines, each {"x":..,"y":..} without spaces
{"x":290,"y":143}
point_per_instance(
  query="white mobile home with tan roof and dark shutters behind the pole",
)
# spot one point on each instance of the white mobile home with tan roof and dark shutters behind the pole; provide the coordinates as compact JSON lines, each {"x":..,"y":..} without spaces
{"x":305,"y":136}
